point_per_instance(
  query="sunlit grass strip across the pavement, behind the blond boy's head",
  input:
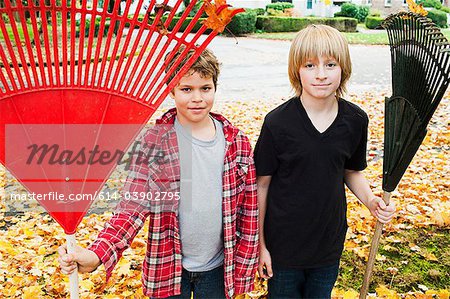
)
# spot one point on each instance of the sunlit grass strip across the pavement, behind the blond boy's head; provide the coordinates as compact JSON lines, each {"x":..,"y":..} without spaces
{"x":370,"y":37}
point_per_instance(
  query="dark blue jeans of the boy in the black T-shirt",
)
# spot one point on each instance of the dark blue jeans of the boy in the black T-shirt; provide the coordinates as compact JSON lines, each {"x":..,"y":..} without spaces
{"x":306,"y":283}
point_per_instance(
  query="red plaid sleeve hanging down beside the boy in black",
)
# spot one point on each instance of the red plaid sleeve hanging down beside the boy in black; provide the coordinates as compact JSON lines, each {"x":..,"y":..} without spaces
{"x":247,"y":244}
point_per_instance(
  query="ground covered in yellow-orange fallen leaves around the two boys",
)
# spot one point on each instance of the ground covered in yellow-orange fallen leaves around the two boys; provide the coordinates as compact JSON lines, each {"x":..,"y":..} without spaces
{"x":414,"y":255}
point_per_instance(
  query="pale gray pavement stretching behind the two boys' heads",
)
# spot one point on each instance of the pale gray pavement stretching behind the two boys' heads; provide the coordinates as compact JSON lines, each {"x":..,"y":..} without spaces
{"x":257,"y":69}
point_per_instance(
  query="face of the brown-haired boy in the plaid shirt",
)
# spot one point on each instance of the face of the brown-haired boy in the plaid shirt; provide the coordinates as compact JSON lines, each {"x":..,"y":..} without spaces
{"x":194,"y":98}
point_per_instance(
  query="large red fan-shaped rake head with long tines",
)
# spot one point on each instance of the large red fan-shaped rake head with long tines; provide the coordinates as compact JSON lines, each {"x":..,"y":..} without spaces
{"x":65,"y":63}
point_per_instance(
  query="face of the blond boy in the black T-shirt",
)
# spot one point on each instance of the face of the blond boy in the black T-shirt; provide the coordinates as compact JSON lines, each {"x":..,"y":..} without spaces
{"x":320,"y":78}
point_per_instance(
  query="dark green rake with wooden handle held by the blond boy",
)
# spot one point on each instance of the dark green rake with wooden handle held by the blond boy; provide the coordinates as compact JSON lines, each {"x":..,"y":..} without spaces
{"x":420,"y":77}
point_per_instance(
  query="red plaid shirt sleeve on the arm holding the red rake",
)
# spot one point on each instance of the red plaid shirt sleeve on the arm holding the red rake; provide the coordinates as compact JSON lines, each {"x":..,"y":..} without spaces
{"x":128,"y":219}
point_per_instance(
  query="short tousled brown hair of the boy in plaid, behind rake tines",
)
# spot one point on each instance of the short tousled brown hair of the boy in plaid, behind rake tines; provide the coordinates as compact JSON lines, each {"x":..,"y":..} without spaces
{"x":206,"y":64}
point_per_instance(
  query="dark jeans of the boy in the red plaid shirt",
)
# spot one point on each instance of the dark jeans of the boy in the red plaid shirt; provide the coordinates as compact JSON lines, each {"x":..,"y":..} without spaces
{"x":208,"y":284}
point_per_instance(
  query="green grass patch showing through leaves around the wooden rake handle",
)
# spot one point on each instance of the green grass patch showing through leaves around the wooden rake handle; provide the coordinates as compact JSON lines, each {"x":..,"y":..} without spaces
{"x":427,"y":263}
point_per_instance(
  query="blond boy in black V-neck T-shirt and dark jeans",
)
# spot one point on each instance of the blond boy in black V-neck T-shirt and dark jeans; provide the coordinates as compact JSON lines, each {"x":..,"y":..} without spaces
{"x":309,"y":148}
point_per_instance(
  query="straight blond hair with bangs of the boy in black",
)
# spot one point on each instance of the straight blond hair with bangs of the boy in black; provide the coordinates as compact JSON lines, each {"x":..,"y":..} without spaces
{"x":315,"y":41}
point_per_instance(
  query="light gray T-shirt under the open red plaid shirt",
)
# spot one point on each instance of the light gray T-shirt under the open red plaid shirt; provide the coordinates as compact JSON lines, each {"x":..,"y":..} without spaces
{"x":200,"y":209}
